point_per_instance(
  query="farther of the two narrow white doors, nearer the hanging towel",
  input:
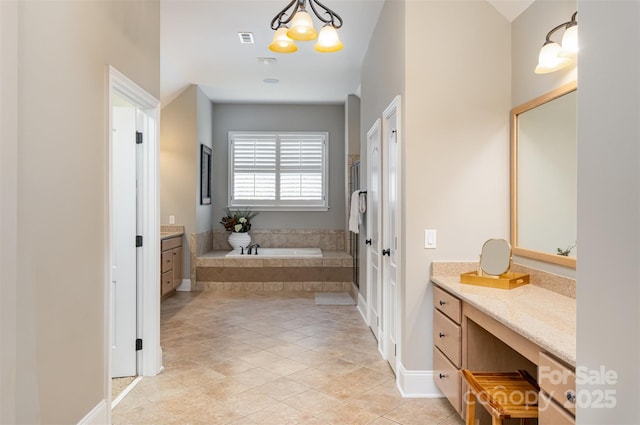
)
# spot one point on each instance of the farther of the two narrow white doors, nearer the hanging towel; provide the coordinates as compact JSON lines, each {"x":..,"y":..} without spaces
{"x":374,"y":184}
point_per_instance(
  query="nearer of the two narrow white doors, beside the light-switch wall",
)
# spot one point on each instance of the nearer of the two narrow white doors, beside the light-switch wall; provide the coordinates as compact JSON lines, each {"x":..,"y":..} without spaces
{"x":390,"y":243}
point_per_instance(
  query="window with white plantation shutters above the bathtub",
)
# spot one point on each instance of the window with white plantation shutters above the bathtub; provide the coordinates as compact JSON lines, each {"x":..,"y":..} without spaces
{"x":278,"y":171}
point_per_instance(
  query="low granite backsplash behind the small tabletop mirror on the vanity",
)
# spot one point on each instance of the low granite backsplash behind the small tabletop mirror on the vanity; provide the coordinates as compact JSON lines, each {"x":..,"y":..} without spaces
{"x":552,"y":282}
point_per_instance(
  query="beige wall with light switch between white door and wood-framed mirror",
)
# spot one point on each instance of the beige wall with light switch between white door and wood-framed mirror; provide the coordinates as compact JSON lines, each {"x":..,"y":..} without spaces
{"x":456,"y":145}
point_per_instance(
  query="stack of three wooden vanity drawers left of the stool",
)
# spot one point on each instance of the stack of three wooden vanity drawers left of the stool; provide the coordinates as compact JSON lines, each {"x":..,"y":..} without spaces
{"x":447,"y":341}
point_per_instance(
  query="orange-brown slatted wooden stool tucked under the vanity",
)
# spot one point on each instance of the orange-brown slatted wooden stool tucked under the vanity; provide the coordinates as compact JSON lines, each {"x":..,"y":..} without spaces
{"x":503,"y":395}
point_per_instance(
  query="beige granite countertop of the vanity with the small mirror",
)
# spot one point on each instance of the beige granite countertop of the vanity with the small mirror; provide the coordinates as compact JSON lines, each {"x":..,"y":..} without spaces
{"x":546,"y":318}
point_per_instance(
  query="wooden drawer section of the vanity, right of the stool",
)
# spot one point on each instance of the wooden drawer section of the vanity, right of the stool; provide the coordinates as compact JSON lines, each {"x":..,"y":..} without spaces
{"x":557,"y":391}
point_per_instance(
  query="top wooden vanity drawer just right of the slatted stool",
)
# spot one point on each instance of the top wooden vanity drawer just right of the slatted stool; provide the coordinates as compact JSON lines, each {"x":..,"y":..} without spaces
{"x":558,"y":381}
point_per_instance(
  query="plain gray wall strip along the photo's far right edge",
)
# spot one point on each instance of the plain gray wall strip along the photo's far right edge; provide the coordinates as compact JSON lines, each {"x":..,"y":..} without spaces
{"x":608,"y":291}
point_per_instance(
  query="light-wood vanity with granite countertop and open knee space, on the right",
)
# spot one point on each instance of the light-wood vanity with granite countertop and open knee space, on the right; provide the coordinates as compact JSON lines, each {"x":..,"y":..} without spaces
{"x":491,"y":329}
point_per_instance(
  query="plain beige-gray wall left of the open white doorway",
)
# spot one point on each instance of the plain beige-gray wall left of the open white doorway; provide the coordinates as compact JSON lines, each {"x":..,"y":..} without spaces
{"x":54,"y":299}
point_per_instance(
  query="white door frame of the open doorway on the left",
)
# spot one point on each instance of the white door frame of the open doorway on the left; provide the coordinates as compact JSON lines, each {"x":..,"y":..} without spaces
{"x":148,"y":304}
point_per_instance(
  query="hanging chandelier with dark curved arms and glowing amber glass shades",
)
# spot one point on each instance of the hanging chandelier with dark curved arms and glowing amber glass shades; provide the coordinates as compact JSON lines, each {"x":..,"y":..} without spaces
{"x":294,"y":23}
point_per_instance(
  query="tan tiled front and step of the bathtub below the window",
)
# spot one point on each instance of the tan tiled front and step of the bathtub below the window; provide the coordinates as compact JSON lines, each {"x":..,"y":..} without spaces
{"x":332,"y":273}
